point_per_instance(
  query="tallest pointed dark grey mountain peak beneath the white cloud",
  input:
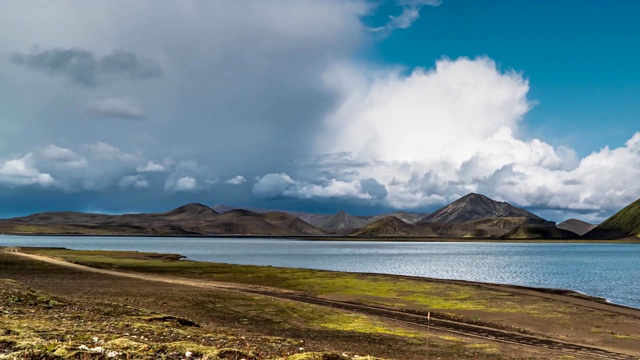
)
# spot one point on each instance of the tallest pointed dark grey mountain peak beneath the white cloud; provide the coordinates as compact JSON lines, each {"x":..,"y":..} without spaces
{"x":475,"y":207}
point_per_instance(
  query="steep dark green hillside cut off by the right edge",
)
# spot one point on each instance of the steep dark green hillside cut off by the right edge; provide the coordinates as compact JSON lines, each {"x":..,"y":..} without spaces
{"x":624,"y":223}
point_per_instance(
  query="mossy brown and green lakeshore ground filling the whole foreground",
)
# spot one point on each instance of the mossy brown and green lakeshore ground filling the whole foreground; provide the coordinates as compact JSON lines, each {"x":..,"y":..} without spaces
{"x":141,"y":305}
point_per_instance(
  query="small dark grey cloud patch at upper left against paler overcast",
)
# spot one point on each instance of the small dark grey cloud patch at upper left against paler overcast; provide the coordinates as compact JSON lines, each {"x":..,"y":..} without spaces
{"x":85,"y":68}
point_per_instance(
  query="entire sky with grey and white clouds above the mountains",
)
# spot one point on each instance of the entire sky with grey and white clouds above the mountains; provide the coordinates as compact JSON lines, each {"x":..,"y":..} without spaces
{"x":306,"y":105}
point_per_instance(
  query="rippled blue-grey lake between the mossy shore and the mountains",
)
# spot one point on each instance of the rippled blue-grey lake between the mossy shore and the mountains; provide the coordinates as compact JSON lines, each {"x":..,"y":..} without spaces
{"x":610,"y":271}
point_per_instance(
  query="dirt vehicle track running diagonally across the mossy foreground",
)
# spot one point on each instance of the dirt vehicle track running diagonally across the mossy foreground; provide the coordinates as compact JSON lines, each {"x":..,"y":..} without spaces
{"x":434,"y":322}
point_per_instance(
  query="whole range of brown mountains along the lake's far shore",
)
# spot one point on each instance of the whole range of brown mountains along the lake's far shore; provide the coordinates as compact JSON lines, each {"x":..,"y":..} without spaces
{"x":471,"y":216}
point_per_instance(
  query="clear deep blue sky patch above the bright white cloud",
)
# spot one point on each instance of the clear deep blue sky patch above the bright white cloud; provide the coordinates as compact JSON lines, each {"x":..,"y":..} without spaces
{"x":580,"y":58}
